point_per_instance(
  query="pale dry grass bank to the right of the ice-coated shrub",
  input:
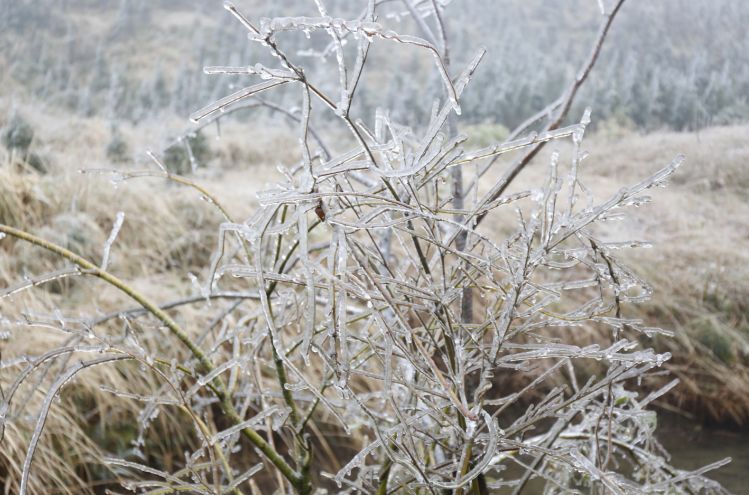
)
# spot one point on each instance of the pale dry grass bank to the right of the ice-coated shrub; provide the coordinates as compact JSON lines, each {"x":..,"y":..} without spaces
{"x":698,"y":266}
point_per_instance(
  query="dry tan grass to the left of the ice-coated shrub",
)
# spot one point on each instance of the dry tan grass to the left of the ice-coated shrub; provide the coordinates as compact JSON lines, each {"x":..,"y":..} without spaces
{"x":168,"y":233}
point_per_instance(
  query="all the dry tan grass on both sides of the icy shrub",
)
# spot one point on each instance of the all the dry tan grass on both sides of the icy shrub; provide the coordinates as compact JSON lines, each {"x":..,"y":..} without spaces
{"x":698,"y":269}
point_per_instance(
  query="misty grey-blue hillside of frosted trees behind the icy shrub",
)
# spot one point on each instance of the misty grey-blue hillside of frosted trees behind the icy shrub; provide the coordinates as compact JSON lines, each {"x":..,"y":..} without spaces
{"x":671,"y":64}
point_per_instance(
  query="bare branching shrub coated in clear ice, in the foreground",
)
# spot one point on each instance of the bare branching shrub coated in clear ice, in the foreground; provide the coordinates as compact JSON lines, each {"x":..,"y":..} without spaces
{"x":369,"y":296}
